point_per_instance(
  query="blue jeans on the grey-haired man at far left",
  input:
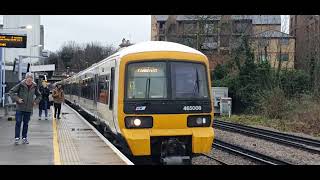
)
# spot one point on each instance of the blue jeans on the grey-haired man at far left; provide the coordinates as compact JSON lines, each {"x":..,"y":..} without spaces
{"x":25,"y":117}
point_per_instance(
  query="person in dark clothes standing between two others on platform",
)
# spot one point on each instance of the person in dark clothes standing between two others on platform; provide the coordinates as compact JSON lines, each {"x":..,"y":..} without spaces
{"x":44,"y":103}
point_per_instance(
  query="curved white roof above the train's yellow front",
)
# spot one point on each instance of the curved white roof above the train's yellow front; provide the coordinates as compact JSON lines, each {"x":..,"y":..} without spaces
{"x":150,"y":46}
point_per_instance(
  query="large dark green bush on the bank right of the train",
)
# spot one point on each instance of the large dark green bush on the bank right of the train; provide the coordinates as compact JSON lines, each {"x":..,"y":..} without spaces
{"x":255,"y":87}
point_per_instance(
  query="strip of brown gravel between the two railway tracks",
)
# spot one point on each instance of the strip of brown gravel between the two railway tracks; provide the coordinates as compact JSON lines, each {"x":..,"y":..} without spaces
{"x":286,"y":153}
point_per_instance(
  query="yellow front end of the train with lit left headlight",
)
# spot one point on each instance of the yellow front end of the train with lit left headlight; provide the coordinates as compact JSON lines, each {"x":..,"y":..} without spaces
{"x":164,"y":102}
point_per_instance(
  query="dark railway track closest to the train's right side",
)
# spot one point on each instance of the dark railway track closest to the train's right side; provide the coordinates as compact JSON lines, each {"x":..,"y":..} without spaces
{"x":258,"y":157}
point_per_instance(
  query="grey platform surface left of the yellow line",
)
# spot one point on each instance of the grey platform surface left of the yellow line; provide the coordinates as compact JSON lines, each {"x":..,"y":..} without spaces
{"x":40,"y":149}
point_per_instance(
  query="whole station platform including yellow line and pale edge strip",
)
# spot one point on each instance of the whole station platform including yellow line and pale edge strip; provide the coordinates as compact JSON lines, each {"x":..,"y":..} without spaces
{"x":70,"y":140}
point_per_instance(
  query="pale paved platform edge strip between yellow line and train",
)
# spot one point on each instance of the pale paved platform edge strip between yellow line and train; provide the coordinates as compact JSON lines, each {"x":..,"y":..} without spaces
{"x":79,"y":144}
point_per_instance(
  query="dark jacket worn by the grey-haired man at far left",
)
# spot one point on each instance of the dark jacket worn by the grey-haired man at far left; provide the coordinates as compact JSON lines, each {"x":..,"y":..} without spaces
{"x":22,"y":91}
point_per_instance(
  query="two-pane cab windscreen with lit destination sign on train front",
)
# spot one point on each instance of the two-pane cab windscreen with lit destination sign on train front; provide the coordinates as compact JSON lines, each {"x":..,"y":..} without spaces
{"x":150,"y":80}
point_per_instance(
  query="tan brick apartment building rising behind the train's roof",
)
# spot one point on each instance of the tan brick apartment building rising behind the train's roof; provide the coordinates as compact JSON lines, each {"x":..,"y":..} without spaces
{"x":214,"y":35}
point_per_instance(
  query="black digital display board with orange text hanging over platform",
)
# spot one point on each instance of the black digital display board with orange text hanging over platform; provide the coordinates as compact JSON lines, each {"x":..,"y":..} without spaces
{"x":13,"y":41}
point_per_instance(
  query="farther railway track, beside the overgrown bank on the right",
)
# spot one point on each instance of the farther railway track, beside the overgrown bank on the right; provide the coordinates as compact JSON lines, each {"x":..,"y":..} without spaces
{"x":302,"y":143}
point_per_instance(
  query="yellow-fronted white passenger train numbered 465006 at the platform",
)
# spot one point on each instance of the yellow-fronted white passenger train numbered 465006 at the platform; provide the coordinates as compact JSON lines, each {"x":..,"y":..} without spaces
{"x":154,"y":98}
